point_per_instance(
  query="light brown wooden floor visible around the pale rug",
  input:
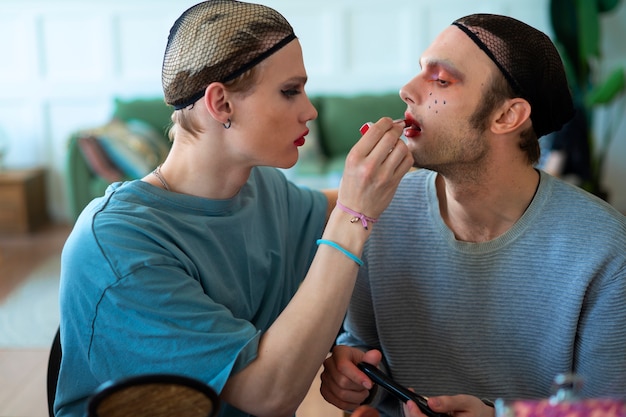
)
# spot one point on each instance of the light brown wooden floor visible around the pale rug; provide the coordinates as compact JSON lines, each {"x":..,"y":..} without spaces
{"x":23,"y":371}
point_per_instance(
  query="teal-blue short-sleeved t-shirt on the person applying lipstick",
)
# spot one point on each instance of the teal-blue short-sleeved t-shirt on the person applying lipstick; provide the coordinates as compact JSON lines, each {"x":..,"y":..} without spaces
{"x":158,"y":282}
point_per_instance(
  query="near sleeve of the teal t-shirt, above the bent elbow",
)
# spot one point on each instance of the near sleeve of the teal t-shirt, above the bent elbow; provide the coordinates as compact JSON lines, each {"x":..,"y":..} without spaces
{"x":174,"y":315}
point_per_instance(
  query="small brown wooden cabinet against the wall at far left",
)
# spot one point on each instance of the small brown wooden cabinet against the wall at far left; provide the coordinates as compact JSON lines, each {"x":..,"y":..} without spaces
{"x":23,"y":206}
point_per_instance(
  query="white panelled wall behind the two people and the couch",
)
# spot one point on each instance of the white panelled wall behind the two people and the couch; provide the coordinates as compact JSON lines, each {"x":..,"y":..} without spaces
{"x":63,"y":61}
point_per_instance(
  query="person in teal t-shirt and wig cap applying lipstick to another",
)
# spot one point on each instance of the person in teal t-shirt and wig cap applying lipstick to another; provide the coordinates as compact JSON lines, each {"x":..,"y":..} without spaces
{"x":209,"y":266}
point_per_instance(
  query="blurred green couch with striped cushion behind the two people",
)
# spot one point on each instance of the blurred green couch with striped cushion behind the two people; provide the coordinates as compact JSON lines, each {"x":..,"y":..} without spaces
{"x":135,"y":141}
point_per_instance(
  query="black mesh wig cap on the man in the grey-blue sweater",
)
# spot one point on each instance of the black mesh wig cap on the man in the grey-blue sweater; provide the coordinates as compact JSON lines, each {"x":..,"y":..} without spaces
{"x":530,"y":63}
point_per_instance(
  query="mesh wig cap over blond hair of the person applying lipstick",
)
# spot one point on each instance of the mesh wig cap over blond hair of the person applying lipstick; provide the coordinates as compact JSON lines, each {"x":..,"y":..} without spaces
{"x":218,"y":40}
